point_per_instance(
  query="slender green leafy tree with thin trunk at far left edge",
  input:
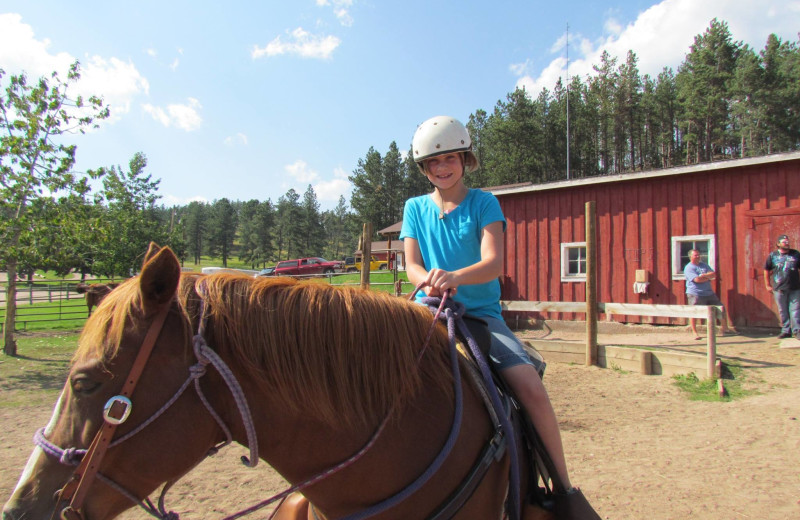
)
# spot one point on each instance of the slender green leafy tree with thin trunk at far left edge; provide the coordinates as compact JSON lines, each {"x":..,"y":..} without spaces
{"x":34,"y":163}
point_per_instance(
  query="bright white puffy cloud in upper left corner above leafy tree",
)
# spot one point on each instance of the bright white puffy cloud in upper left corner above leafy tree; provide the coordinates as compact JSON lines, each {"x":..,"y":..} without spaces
{"x":118,"y":82}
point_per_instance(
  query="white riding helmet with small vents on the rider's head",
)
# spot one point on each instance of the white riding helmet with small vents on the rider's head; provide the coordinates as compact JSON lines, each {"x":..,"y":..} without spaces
{"x":441,"y":135}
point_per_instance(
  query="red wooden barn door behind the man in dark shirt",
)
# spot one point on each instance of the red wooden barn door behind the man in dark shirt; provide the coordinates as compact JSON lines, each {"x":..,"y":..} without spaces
{"x":763,"y":234}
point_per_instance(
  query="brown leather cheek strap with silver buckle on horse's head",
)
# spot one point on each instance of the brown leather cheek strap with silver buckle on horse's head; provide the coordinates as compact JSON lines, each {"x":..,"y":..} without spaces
{"x":115,"y":412}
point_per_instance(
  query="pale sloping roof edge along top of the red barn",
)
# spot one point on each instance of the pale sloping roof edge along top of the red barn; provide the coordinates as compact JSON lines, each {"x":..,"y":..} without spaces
{"x":664,"y":172}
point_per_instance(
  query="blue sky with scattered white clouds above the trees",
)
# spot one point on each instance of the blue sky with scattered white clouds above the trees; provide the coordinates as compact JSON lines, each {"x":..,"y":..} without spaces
{"x":247,"y":100}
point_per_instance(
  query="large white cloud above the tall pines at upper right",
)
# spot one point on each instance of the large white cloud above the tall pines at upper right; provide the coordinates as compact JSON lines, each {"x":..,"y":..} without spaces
{"x":661,"y":35}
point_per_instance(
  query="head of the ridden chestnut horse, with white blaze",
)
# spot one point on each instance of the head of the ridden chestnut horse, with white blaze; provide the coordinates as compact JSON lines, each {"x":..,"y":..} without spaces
{"x":156,"y":453}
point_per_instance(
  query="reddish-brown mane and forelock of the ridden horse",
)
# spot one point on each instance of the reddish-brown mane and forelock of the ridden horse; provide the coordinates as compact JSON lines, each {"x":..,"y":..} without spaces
{"x":342,"y":355}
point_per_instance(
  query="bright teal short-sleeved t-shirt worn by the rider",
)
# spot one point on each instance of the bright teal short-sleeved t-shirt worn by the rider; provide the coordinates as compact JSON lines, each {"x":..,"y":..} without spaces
{"x":454,"y":242}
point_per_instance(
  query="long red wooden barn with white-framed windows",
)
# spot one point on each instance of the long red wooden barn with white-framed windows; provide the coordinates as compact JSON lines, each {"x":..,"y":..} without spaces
{"x":646,"y":223}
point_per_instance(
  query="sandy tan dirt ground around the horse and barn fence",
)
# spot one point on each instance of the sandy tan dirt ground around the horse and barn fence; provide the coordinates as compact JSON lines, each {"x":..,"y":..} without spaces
{"x":635,"y":444}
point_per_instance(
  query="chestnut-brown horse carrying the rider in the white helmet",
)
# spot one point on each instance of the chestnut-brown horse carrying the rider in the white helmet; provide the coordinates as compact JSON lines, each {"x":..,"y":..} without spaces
{"x":321,"y":368}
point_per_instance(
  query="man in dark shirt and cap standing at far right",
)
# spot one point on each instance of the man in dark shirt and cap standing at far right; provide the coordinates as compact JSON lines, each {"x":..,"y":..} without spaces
{"x":782,"y":269}
